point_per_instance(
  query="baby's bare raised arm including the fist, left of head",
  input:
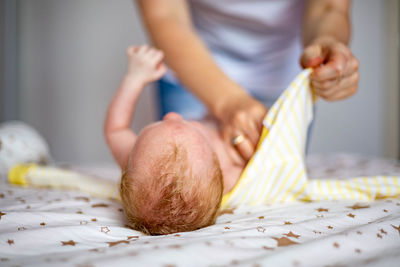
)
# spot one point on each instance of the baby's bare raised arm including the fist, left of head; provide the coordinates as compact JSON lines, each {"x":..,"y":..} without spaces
{"x":145,"y":66}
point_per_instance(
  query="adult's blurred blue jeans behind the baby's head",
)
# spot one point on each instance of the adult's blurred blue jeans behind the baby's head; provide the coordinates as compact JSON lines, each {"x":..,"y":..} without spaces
{"x":173,"y":97}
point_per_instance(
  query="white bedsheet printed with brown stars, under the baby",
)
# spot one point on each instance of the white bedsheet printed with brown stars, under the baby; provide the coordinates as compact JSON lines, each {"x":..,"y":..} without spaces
{"x":57,"y":228}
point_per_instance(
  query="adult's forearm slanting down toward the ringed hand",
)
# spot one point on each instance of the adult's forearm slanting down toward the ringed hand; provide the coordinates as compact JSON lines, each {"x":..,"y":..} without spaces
{"x":189,"y":58}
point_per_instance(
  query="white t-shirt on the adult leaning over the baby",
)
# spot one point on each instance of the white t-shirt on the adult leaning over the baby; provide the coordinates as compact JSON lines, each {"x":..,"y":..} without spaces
{"x":257,"y":43}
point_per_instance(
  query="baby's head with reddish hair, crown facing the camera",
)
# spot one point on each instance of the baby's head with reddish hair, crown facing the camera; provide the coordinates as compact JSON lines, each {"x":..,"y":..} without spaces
{"x":173,"y":180}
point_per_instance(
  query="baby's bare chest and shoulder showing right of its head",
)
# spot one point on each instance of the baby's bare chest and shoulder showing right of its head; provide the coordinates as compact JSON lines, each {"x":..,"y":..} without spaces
{"x":231,"y":171}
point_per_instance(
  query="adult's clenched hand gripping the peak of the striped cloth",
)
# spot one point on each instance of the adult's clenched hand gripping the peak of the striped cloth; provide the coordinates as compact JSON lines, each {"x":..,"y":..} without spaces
{"x":335,"y":74}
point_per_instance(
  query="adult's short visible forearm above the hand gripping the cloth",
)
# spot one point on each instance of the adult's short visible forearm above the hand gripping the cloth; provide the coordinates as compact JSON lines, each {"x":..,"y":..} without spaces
{"x":326,"y":19}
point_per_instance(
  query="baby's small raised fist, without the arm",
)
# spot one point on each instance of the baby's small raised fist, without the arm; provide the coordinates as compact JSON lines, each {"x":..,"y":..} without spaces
{"x":145,"y":63}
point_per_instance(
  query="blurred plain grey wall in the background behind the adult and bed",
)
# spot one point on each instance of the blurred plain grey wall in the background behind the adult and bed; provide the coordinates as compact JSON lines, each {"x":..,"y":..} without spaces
{"x":70,"y":58}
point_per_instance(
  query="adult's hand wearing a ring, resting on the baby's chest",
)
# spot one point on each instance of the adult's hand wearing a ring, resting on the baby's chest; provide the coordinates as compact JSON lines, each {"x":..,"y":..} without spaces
{"x":241,"y":125}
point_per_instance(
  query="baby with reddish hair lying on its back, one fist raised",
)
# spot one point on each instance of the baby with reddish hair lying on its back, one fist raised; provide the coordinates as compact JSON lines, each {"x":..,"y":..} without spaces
{"x":175,"y":172}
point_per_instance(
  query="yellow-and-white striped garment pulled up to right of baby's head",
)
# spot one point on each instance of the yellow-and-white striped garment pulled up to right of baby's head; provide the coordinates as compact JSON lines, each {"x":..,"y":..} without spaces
{"x":277,"y":171}
